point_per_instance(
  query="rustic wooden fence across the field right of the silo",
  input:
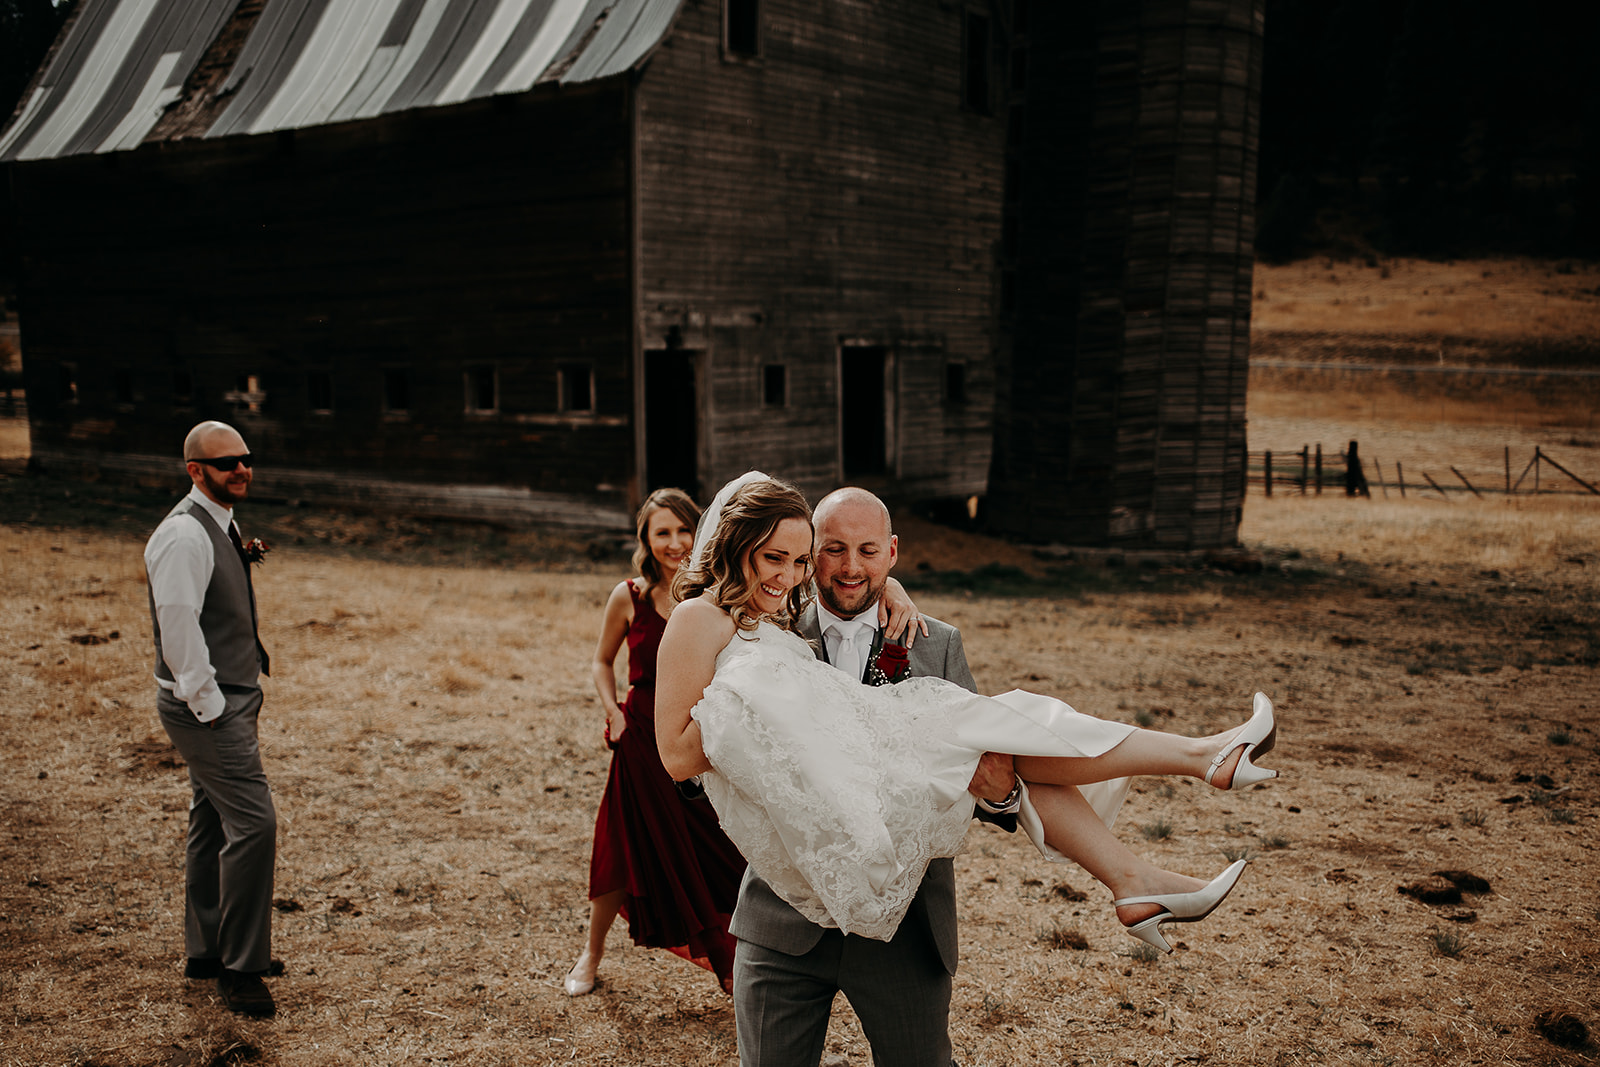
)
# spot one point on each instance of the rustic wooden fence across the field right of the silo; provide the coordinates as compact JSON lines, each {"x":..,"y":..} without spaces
{"x":1308,"y":471}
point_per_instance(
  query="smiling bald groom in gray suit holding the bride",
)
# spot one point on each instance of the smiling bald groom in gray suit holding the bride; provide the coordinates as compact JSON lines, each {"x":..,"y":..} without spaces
{"x":788,"y":970}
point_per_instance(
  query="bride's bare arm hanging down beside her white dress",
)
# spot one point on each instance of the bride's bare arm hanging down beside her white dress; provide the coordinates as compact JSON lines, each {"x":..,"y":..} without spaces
{"x":697,"y":631}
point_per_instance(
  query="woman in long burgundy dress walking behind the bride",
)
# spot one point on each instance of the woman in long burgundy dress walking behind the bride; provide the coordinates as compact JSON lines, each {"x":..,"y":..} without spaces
{"x":660,"y":861}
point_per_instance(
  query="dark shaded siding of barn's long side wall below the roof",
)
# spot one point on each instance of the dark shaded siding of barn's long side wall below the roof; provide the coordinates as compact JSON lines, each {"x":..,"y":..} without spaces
{"x":426,"y":244}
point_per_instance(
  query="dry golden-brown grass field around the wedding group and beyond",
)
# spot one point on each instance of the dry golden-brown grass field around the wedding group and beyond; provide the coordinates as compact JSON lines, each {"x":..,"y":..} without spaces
{"x":434,"y":746}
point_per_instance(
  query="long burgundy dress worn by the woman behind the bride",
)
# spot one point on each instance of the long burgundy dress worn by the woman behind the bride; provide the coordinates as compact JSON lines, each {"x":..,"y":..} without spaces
{"x":670,"y":857}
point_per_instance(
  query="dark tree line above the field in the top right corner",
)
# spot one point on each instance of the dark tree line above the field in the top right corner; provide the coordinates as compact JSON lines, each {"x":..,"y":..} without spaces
{"x":1430,"y":129}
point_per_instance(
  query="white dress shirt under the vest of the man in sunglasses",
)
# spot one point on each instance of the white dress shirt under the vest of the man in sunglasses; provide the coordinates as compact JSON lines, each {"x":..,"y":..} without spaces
{"x":180,"y":561}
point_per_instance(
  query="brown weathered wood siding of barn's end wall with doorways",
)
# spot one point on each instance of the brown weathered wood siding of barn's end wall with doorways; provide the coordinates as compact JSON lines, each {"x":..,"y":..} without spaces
{"x":831,"y":193}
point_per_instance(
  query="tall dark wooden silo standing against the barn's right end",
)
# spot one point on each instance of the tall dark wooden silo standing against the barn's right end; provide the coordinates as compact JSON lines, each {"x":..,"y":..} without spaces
{"x":1127,"y":274}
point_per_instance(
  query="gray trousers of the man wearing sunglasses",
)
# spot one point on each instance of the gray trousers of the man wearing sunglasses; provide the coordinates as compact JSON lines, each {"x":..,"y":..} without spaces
{"x":233,"y":833}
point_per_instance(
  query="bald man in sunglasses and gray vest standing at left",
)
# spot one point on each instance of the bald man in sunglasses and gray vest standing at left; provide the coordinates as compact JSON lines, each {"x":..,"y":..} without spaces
{"x":209,"y":666}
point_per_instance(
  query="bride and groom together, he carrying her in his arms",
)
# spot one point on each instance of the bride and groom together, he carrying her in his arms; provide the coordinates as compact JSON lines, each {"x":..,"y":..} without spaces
{"x":844,"y":797}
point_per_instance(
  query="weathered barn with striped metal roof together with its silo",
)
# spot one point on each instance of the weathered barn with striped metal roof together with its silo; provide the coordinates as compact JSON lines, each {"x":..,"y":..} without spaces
{"x":530,"y":258}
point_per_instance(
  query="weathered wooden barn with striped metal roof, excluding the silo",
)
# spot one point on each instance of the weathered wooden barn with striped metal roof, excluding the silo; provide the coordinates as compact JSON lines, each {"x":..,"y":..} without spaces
{"x":521,"y":258}
